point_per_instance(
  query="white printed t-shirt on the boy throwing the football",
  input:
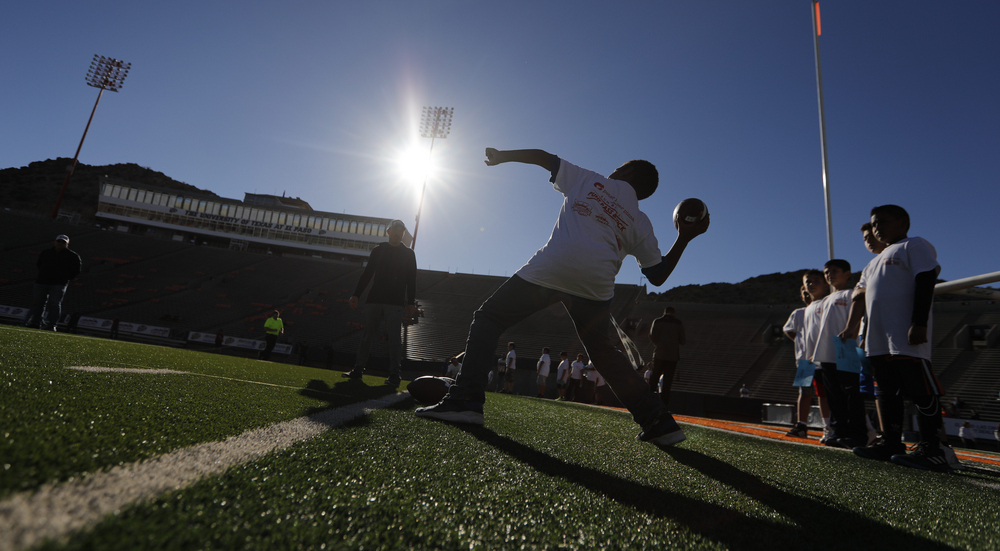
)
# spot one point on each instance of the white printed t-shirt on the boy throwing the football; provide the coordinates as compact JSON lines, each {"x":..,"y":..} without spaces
{"x":599,"y":224}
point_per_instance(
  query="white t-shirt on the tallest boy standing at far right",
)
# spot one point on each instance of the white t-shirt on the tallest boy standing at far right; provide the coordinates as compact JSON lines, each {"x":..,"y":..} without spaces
{"x":889,"y":288}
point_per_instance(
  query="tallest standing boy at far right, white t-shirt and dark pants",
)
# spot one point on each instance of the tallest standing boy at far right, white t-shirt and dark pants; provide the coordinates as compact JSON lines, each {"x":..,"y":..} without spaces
{"x":898,"y":293}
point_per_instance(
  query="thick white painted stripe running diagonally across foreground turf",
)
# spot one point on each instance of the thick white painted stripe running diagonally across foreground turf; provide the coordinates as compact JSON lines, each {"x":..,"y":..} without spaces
{"x":56,"y":510}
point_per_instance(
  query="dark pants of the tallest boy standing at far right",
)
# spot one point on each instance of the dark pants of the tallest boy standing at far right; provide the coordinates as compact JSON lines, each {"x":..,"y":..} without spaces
{"x":899,"y":377}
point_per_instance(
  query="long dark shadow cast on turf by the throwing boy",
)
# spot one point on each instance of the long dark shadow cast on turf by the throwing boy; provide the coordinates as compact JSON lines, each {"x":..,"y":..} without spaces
{"x":814,"y":523}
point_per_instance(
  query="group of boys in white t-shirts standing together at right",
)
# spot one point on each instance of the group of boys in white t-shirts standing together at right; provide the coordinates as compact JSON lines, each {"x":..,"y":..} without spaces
{"x":880,"y":327}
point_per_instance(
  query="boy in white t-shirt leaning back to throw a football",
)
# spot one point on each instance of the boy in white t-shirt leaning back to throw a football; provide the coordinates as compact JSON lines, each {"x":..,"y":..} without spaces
{"x":599,"y":223}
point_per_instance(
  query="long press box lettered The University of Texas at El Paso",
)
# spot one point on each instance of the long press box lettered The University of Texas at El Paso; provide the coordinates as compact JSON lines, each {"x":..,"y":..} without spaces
{"x":261,"y":222}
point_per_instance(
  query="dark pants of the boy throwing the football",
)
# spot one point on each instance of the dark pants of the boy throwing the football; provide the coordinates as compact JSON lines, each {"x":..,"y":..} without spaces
{"x":517,"y":299}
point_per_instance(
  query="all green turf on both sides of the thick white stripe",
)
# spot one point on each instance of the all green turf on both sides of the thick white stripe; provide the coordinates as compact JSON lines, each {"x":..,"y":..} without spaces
{"x":539,"y":475}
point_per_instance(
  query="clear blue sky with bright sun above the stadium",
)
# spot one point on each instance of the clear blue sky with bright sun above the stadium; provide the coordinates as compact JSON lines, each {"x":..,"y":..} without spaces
{"x":319,"y":99}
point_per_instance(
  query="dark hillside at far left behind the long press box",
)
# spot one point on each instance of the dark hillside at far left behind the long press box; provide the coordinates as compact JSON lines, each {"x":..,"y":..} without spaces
{"x":34,"y":188}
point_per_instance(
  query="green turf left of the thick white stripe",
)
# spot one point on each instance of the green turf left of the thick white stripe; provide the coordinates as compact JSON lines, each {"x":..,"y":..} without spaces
{"x":56,"y":423}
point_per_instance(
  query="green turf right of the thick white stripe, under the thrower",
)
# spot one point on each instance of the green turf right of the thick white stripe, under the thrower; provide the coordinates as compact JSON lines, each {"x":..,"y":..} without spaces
{"x":543,"y":475}
